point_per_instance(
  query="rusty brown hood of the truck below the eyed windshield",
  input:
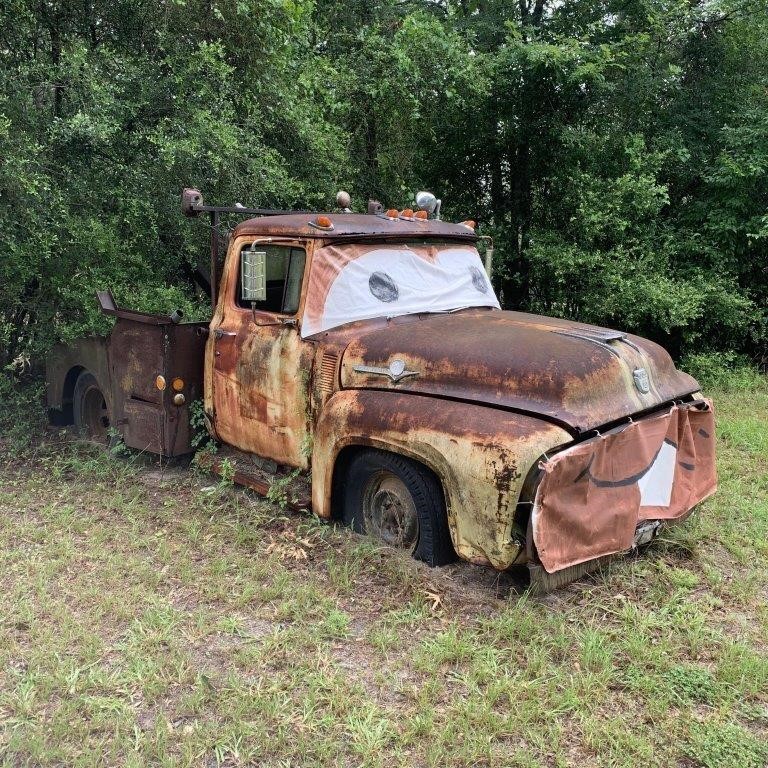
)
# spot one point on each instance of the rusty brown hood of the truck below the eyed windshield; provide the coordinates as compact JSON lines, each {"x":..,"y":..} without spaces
{"x":580,"y":376}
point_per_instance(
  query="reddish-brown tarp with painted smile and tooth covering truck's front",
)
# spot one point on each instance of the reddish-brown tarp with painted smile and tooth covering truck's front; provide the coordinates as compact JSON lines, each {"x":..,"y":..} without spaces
{"x":592,"y":496}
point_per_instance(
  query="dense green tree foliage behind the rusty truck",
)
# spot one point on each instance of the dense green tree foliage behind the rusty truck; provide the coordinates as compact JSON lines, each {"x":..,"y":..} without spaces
{"x":617,"y":150}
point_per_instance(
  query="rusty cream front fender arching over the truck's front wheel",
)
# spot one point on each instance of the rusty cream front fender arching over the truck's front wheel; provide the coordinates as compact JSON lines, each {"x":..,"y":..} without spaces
{"x":481,"y":455}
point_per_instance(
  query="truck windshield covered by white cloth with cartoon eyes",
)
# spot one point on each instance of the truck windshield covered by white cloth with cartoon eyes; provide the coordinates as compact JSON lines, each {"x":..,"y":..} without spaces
{"x":358,"y":282}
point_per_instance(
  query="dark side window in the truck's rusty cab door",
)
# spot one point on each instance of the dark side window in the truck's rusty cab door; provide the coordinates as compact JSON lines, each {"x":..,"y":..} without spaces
{"x":284,"y":270}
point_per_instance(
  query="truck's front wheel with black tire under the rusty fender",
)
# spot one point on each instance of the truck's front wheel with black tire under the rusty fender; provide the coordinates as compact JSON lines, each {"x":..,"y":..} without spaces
{"x":399,"y":502}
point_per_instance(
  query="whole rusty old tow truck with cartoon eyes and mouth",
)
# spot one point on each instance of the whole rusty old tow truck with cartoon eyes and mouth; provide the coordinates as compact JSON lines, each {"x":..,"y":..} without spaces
{"x":368,"y":354}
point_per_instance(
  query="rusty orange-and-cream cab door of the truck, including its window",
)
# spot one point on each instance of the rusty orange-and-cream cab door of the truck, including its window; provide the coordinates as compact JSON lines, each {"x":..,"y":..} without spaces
{"x":260,"y":365}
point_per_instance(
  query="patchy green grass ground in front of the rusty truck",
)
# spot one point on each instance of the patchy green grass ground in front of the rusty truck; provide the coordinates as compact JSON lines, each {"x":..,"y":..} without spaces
{"x":153,"y":617}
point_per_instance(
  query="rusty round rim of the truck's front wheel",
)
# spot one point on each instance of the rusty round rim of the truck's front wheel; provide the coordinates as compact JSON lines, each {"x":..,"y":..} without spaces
{"x":390,"y":512}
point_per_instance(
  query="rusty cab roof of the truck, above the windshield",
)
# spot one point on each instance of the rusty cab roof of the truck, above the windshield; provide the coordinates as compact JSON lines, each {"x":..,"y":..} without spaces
{"x":351,"y":225}
